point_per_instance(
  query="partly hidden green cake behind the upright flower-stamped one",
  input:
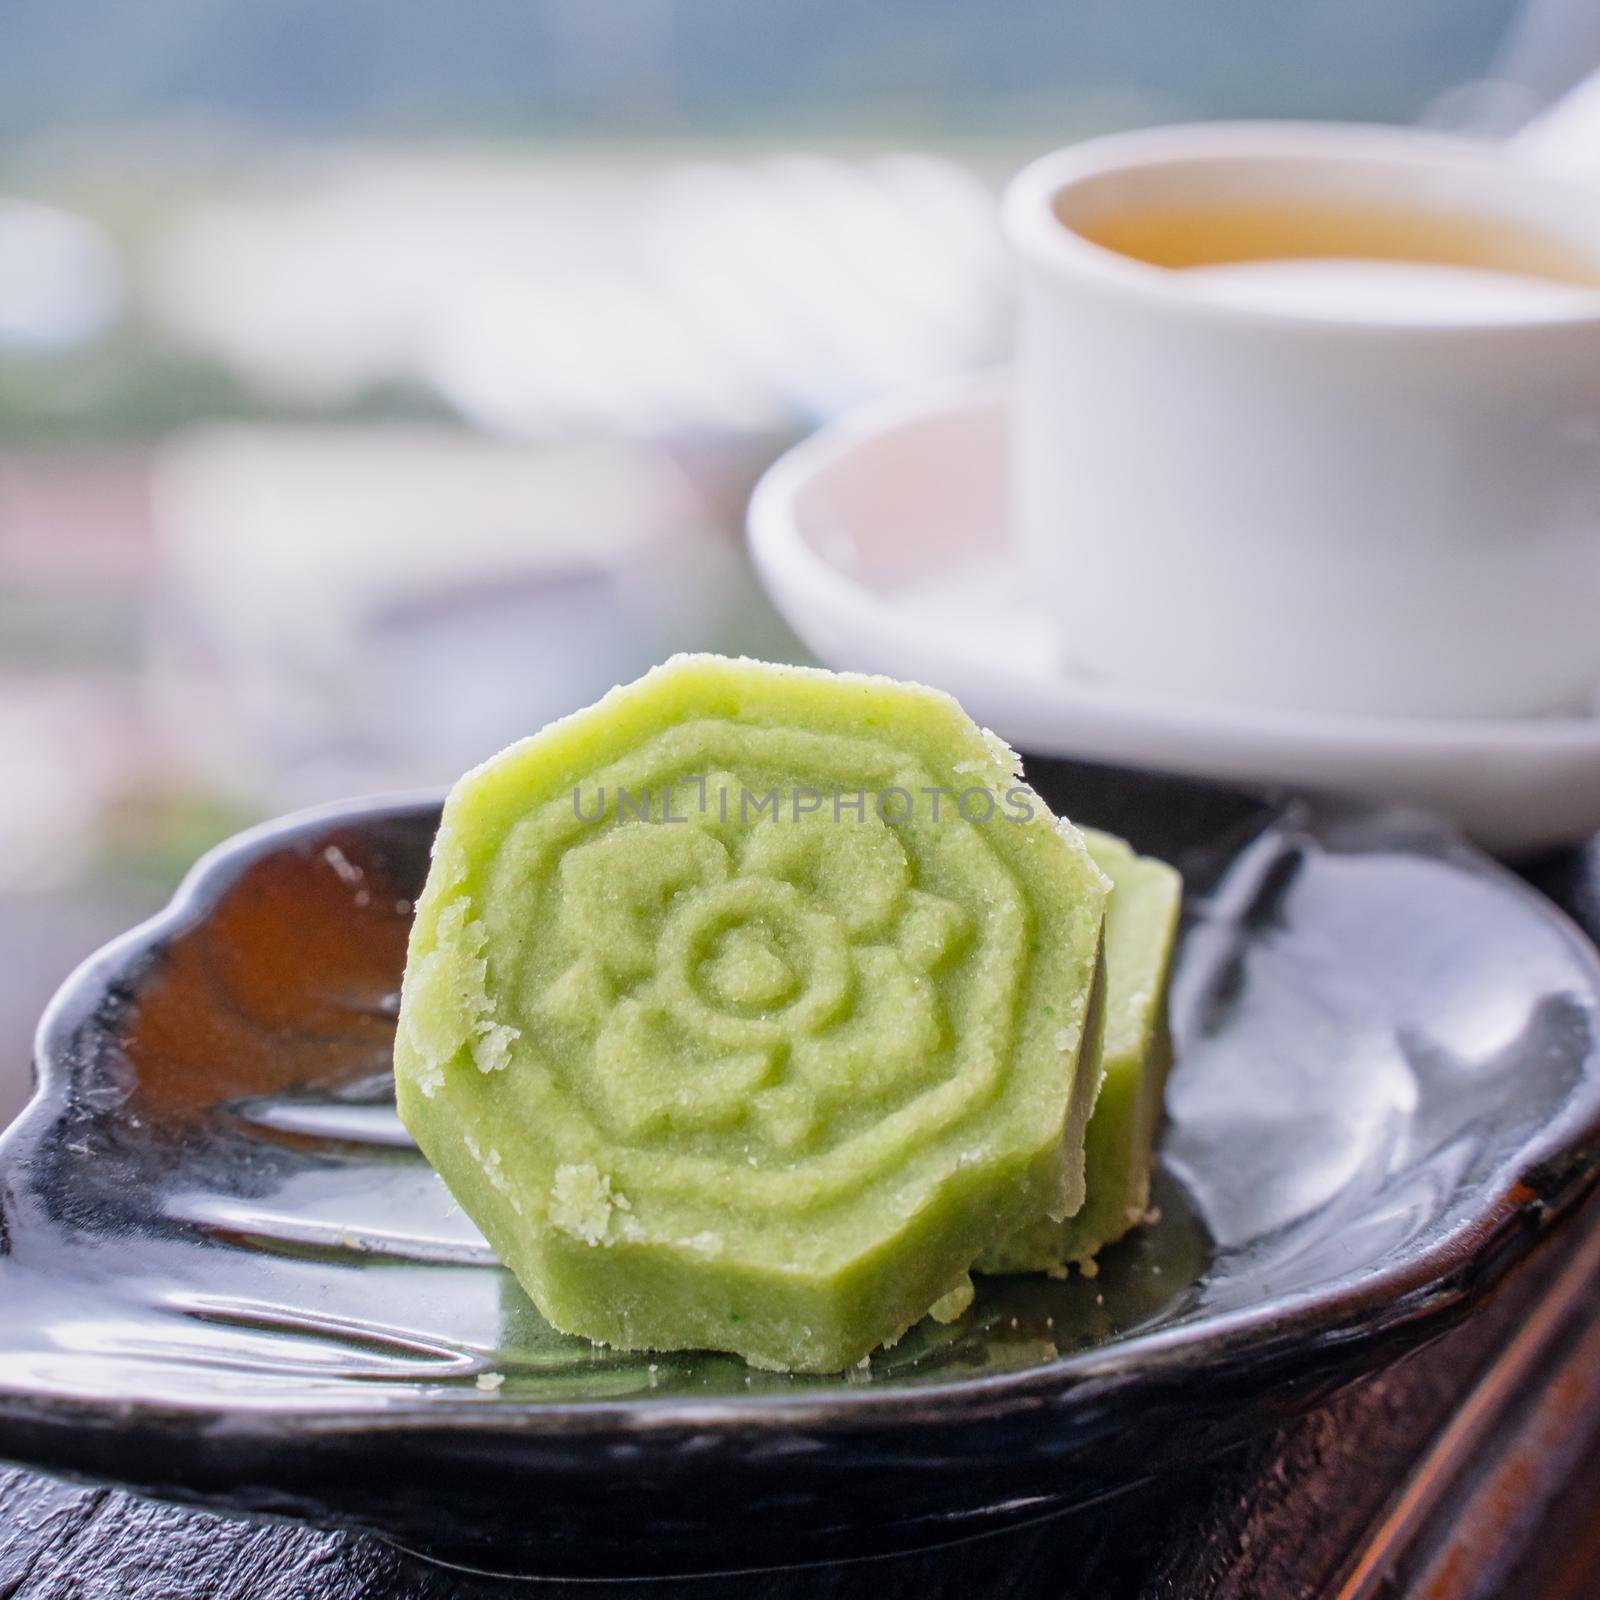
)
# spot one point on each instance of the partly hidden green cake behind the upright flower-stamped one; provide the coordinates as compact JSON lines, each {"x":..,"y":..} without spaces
{"x":1142,"y":927}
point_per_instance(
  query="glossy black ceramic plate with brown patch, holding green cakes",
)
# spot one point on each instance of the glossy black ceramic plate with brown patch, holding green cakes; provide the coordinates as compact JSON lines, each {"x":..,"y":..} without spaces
{"x":226,"y":1274}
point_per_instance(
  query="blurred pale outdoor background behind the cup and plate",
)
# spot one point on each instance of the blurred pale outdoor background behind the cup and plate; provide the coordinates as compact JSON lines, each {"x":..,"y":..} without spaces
{"x":380,"y":382}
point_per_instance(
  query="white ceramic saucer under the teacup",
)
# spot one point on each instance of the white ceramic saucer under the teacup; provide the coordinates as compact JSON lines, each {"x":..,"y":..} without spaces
{"x":884,"y":540}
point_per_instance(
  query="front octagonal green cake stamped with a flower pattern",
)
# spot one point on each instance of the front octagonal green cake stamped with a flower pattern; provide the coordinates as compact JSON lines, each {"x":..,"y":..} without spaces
{"x":746,"y":1009}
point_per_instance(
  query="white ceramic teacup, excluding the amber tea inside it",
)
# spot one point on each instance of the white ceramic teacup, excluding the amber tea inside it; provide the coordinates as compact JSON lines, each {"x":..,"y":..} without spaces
{"x":1337,"y":495}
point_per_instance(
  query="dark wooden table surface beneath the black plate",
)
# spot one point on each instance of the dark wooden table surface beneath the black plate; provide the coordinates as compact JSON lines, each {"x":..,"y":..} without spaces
{"x":1468,"y":1471}
